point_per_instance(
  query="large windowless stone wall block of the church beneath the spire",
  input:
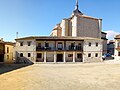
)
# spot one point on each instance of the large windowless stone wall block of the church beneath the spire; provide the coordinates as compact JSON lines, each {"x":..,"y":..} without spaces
{"x":85,"y":27}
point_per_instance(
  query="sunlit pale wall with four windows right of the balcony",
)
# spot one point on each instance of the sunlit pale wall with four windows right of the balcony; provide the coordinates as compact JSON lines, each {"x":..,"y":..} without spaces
{"x":93,"y":50}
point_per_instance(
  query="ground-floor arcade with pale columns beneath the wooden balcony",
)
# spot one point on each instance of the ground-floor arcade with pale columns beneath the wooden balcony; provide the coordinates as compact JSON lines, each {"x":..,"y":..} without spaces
{"x":59,"y":57}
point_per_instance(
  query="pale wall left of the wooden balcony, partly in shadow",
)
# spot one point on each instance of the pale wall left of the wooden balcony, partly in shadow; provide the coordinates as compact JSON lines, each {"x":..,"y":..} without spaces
{"x":25,"y":49}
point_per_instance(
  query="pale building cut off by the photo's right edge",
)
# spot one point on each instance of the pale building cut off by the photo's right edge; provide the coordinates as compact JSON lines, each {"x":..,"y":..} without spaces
{"x":117,"y":47}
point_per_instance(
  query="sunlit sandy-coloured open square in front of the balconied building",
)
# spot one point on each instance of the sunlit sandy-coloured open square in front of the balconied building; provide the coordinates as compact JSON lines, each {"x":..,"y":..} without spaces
{"x":90,"y":76}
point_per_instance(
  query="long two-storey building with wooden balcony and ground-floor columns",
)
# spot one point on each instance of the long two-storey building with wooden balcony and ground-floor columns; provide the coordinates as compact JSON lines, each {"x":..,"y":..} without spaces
{"x":58,"y":49}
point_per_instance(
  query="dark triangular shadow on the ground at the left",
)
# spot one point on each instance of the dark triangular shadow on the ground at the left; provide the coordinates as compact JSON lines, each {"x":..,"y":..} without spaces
{"x":4,"y":68}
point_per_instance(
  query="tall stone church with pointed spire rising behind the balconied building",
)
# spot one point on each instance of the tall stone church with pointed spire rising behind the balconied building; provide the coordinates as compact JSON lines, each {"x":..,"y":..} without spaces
{"x":81,"y":25}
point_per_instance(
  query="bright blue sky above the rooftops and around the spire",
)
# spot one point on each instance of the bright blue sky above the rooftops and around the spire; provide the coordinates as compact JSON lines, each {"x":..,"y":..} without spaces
{"x":38,"y":17}
